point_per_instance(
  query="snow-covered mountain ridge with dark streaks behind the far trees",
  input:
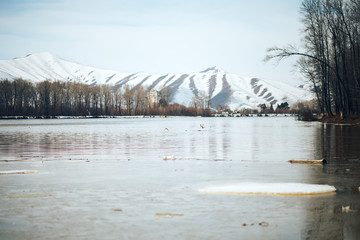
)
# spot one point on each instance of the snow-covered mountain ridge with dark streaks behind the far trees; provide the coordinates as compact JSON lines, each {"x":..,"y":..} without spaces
{"x":221,"y":87}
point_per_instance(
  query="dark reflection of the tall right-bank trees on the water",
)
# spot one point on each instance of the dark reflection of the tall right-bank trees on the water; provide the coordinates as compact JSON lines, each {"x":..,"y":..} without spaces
{"x":338,"y":217}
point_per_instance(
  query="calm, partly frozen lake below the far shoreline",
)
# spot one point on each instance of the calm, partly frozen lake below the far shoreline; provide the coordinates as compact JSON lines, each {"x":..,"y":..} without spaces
{"x":138,"y":178}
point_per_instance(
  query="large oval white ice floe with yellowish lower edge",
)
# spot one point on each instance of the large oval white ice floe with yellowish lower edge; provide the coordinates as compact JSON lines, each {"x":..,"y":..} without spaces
{"x":285,"y":189}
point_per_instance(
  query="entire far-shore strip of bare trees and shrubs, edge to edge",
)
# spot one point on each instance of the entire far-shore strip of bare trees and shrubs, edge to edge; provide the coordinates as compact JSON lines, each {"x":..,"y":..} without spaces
{"x":47,"y":99}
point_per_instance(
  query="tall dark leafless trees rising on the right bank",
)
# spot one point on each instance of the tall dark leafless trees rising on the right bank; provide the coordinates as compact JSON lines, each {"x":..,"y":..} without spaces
{"x":331,"y":56}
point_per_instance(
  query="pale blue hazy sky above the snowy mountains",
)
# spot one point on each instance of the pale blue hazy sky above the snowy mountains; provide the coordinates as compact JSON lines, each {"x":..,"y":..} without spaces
{"x":155,"y":36}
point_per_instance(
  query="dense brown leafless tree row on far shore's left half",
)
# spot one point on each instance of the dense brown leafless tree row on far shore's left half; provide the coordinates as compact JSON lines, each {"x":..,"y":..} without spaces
{"x":56,"y":98}
